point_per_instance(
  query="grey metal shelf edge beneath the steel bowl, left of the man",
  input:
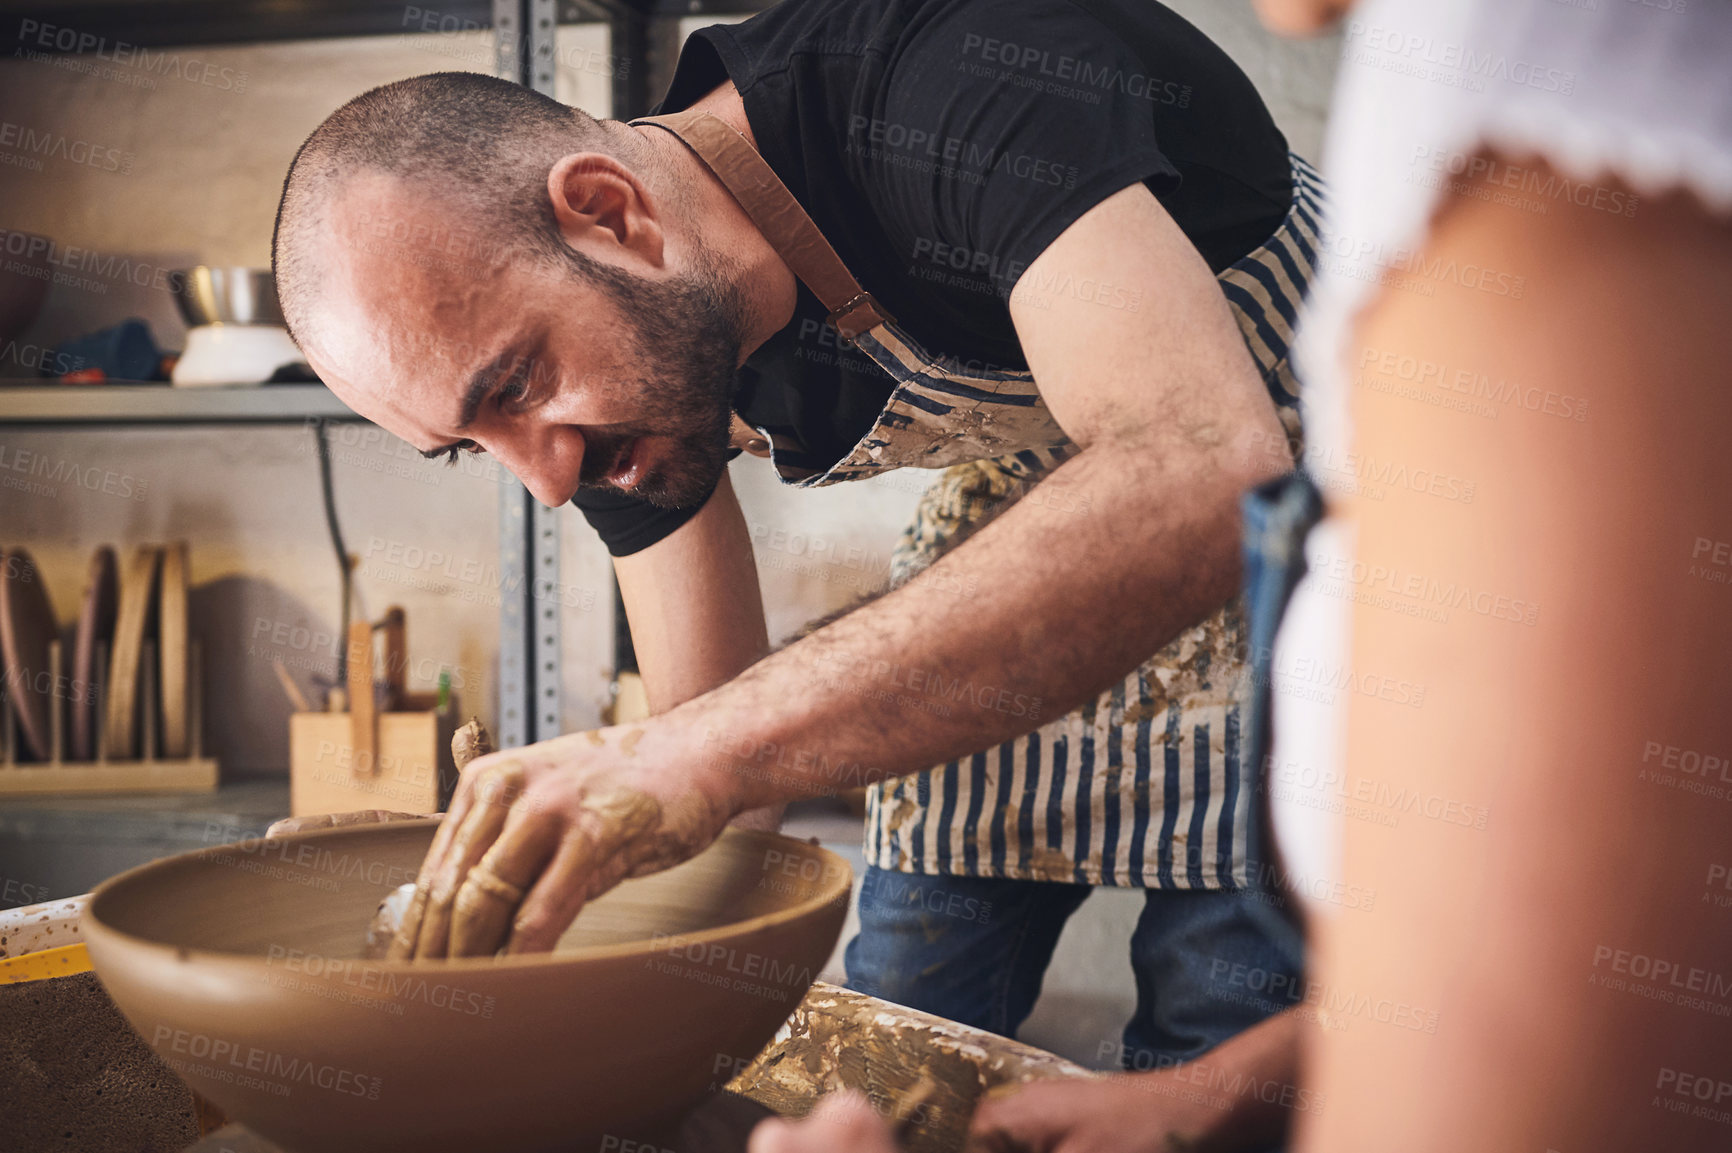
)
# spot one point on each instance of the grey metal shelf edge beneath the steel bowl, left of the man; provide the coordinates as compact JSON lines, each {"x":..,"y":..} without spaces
{"x":165,"y":404}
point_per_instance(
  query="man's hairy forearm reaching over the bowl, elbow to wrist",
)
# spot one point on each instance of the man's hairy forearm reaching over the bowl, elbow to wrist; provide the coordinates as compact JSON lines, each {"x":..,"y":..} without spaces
{"x":1059,"y":598}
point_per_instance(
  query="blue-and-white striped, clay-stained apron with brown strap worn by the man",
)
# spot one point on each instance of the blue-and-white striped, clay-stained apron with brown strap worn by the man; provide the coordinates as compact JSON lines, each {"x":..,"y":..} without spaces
{"x":1142,"y":787}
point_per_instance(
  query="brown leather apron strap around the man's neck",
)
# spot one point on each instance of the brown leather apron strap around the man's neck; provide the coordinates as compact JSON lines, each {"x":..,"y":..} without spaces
{"x":779,"y":217}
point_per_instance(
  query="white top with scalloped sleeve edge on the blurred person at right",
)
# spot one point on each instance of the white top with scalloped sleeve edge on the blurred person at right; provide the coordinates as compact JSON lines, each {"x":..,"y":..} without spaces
{"x":1634,"y":93}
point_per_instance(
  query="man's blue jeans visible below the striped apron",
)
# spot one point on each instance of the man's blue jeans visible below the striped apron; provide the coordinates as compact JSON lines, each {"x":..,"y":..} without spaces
{"x":976,"y":950}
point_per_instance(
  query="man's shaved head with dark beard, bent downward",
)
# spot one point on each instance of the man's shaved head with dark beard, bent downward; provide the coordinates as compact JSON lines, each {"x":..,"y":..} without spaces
{"x":420,"y":221}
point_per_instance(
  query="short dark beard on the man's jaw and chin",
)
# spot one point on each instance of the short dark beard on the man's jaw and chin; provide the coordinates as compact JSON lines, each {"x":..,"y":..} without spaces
{"x":690,"y":332}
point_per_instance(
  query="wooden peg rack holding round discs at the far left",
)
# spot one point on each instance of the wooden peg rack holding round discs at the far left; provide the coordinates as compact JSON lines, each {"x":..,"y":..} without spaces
{"x":146,"y":773}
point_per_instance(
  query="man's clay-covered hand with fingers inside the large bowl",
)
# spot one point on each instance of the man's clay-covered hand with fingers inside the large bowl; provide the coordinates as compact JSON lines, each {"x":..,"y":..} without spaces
{"x":538,"y":832}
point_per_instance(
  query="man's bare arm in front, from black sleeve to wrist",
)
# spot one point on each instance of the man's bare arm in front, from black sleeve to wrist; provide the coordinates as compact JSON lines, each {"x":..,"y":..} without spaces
{"x":1101,"y":565}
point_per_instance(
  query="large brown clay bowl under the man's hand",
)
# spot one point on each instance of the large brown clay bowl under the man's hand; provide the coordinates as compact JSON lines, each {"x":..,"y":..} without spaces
{"x":242,"y":967}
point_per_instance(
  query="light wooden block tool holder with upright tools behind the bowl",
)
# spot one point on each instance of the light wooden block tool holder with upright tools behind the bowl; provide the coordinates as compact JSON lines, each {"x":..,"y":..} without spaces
{"x":391,"y":750}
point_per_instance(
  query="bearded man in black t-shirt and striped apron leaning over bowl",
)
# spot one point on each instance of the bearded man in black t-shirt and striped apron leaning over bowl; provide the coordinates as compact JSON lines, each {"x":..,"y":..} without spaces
{"x":1049,"y":247}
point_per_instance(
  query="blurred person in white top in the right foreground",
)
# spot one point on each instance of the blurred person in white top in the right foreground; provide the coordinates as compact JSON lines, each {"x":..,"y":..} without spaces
{"x":1520,"y":605}
